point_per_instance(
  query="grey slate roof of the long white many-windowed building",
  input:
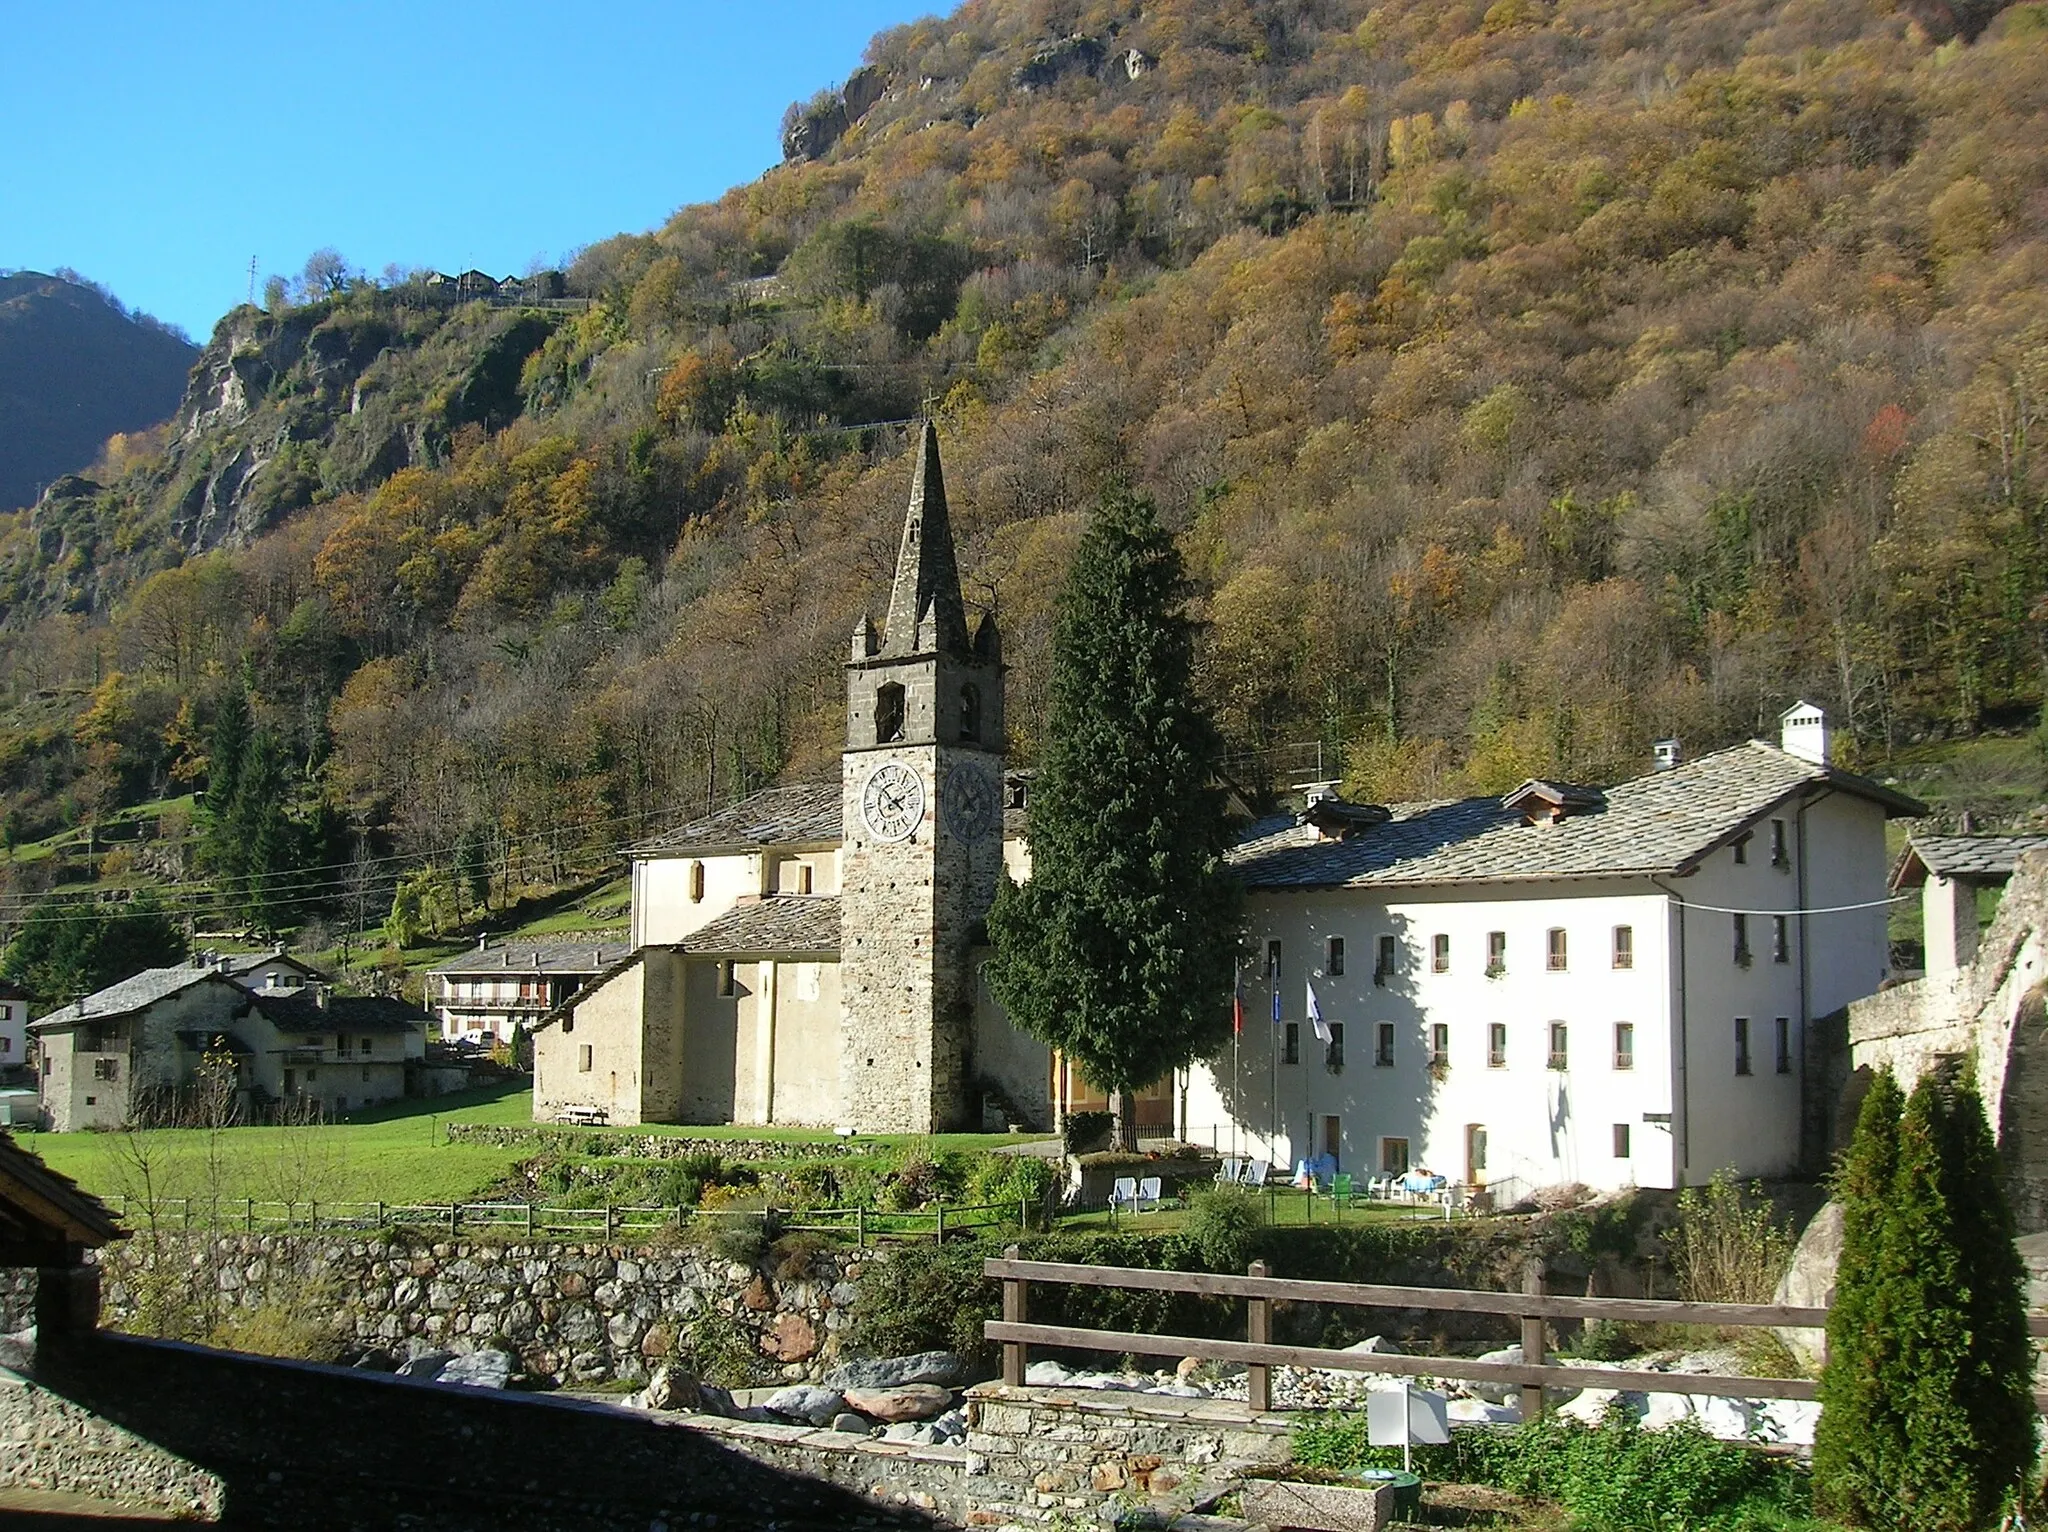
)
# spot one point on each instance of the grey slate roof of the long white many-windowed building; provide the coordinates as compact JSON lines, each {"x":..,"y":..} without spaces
{"x":1664,"y":822}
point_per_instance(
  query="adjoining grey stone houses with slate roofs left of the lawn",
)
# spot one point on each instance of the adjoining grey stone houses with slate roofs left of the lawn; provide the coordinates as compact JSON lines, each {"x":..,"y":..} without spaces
{"x":140,"y":1048}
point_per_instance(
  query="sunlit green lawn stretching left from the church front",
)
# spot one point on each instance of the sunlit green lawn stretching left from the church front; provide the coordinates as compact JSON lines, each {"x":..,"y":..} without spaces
{"x":394,"y":1154}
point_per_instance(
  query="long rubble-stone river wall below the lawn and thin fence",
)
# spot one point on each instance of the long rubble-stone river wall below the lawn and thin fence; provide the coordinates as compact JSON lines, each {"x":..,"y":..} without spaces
{"x":577,"y":1314}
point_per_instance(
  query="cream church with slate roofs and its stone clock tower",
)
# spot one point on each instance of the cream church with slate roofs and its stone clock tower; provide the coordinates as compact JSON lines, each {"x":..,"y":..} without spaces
{"x":810,"y":955}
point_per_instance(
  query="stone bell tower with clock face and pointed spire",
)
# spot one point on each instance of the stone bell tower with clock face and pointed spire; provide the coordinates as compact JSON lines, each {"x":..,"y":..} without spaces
{"x":923,"y":783}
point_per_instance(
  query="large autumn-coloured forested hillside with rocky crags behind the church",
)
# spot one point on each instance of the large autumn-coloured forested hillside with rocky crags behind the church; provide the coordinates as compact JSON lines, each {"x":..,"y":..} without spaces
{"x":1523,"y":380}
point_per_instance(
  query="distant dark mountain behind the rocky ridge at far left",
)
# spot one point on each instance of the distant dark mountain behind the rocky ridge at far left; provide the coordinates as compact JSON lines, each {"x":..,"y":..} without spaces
{"x":75,"y":370}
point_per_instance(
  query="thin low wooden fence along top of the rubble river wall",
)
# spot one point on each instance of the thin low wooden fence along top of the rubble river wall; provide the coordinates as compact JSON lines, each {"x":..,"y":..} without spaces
{"x":542,"y":1222}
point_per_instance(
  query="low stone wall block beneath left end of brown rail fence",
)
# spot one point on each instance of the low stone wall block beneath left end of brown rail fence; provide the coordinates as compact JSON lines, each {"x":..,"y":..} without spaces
{"x":1060,"y":1455}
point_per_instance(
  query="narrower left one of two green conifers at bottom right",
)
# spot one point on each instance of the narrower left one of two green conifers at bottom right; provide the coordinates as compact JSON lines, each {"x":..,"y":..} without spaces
{"x":1861,"y":1441}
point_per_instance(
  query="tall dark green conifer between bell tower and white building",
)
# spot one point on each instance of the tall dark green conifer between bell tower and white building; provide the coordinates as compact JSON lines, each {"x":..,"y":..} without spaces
{"x":1121,"y":947}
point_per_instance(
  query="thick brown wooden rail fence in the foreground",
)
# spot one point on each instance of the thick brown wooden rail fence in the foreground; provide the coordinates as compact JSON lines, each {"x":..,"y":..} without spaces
{"x":1533,"y":1308}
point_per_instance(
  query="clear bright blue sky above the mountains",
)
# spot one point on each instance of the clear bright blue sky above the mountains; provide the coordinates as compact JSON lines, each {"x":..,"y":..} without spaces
{"x":159,"y":146}
